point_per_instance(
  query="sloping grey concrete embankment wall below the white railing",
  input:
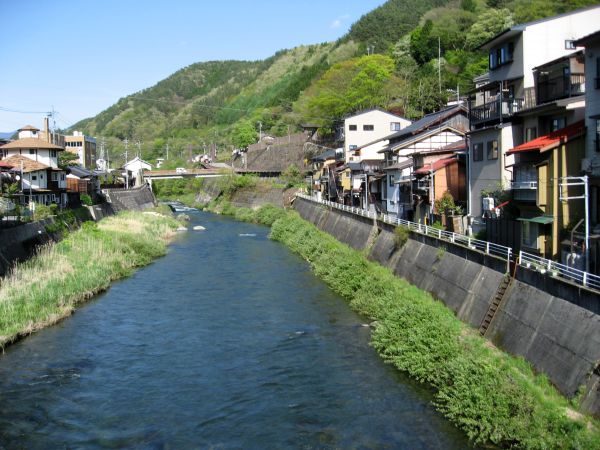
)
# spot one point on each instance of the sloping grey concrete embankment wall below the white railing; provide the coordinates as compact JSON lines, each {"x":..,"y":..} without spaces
{"x":556,"y":335}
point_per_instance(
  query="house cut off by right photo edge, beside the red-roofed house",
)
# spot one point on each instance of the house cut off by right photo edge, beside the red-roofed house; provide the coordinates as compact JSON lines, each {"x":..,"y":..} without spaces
{"x":590,"y":165}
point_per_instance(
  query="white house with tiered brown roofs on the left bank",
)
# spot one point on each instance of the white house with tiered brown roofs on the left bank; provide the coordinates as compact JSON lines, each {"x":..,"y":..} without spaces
{"x":42,"y":180}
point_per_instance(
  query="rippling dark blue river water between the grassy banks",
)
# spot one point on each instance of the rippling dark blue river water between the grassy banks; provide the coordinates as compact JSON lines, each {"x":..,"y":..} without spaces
{"x":227,"y":342}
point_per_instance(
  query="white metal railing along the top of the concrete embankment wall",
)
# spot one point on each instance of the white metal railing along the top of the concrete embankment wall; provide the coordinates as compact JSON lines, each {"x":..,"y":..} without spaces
{"x":544,"y":266}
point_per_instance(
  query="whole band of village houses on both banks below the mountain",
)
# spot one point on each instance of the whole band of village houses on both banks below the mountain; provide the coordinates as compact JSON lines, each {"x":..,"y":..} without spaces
{"x":514,"y":162}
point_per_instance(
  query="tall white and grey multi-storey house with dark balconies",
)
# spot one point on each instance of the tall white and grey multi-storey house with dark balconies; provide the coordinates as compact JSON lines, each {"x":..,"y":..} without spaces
{"x":496,"y":109}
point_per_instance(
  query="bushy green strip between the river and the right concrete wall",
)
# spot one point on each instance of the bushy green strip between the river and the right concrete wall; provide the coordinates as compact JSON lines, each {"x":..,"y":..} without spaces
{"x":494,"y":397}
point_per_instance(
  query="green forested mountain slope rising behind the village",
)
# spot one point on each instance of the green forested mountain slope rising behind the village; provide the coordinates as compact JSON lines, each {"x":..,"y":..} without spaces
{"x":389,"y":58}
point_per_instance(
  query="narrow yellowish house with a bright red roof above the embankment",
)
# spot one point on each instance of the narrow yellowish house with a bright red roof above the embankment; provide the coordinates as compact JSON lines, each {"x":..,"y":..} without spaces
{"x":539,"y":165}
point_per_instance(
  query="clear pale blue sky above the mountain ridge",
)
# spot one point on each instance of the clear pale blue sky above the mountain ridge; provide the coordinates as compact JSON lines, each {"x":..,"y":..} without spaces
{"x":78,"y":57}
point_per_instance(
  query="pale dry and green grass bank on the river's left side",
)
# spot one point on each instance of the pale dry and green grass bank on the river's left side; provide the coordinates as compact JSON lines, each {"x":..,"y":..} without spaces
{"x":46,"y":288}
